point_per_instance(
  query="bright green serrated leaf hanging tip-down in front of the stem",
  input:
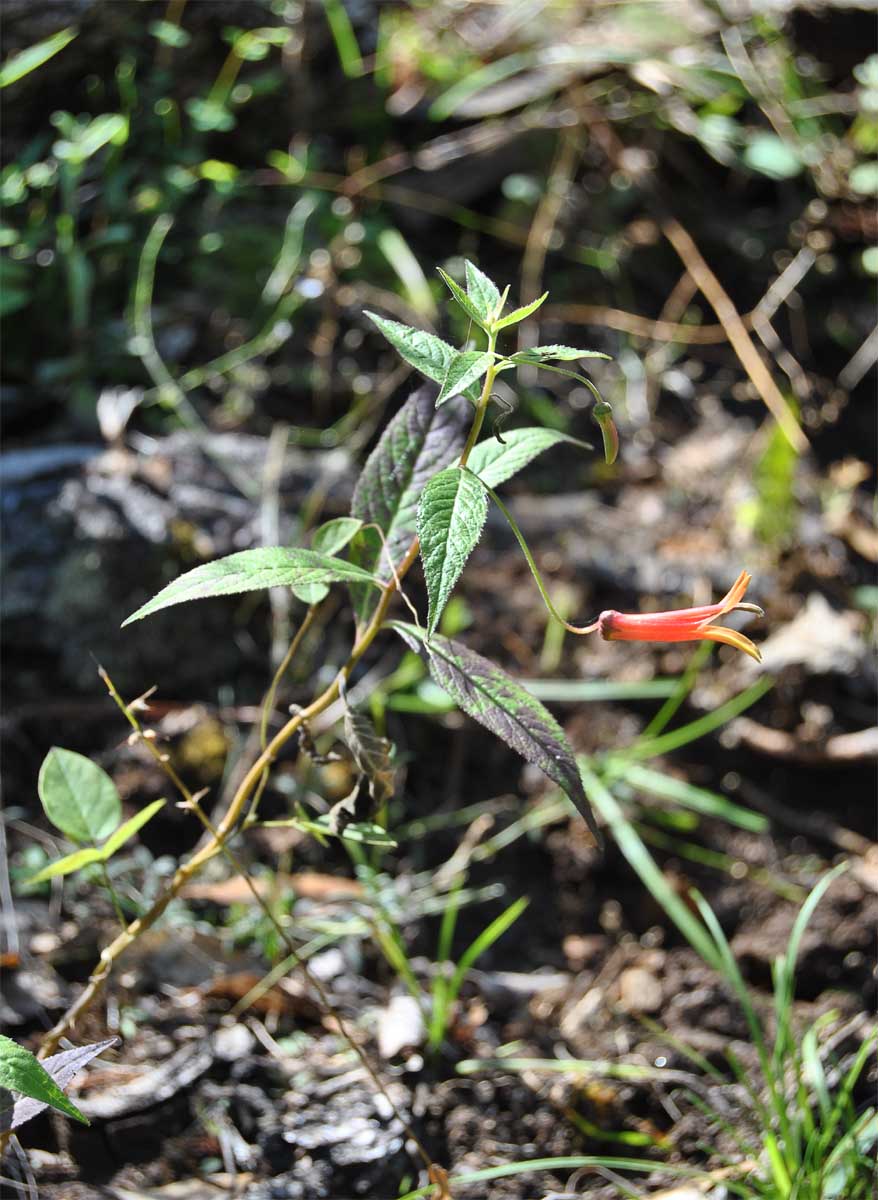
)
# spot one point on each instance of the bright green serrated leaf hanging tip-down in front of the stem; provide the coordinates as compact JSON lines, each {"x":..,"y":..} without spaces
{"x":450,"y":520}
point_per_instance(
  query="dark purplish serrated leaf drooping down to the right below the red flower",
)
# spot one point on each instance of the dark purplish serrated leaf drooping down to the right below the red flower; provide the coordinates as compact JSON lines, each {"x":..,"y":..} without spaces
{"x":502,"y":705}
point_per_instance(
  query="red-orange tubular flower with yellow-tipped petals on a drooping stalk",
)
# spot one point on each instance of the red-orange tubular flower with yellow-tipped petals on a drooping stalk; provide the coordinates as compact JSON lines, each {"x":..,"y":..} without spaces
{"x":684,"y":625}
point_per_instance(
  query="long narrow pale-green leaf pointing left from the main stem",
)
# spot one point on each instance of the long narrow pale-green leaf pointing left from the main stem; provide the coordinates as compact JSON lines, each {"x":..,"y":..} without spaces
{"x":269,"y":567}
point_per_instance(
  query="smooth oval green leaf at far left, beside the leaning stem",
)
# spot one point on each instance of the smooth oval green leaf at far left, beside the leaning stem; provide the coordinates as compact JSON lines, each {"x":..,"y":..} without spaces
{"x":79,"y":797}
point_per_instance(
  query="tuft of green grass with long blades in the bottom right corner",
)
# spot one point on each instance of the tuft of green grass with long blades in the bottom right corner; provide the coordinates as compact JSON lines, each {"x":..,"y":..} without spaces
{"x":804,"y":1138}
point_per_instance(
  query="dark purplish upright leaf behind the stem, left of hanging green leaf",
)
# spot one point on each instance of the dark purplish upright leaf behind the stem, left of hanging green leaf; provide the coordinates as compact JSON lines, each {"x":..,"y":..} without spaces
{"x":419,"y":442}
